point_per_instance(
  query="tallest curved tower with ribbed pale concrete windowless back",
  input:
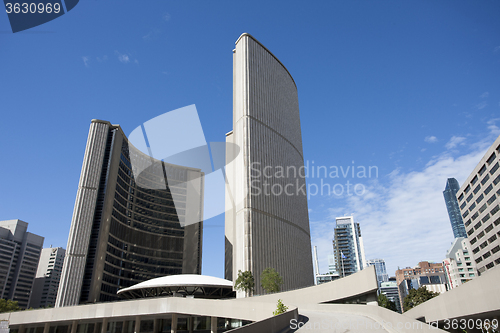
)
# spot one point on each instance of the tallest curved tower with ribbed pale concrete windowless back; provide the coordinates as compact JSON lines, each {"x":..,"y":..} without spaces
{"x":267,"y":223}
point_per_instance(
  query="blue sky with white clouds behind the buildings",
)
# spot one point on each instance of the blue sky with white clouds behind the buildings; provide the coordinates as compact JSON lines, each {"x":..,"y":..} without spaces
{"x":409,"y":87}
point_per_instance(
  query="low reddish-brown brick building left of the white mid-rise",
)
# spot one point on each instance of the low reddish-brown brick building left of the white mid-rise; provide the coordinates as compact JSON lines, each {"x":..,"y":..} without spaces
{"x":427,"y":274}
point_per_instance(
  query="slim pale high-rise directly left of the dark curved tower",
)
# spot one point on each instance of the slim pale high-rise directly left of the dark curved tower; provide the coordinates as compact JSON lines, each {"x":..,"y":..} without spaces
{"x":47,"y":278}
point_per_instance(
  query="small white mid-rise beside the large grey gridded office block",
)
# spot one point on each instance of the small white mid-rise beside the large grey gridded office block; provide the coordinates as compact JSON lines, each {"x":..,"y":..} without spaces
{"x":459,"y":267}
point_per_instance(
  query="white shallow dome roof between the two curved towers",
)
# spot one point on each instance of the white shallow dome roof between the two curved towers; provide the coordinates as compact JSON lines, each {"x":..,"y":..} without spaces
{"x":185,"y":280}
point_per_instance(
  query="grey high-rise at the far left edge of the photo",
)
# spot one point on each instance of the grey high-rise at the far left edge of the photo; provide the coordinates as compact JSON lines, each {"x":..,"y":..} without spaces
{"x":19,"y":255}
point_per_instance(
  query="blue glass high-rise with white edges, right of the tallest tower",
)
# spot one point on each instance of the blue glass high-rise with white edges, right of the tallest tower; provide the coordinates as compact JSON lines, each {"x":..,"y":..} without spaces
{"x":348,"y":246}
